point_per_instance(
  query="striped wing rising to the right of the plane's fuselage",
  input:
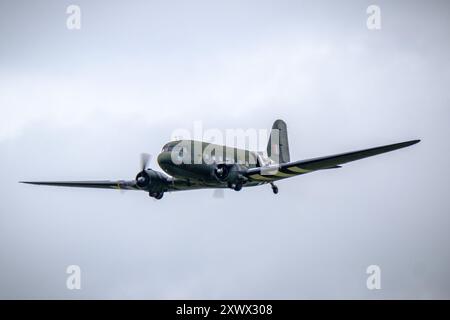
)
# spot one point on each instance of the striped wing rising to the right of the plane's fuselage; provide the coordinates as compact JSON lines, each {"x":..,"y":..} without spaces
{"x":286,"y":170}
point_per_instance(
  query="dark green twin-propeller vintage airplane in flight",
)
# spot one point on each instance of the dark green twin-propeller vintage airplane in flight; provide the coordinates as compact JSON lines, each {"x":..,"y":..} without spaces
{"x":187,"y":166}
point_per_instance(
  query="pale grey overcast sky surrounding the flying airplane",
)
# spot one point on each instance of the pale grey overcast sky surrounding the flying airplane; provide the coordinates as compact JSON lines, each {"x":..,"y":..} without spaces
{"x":83,"y":104}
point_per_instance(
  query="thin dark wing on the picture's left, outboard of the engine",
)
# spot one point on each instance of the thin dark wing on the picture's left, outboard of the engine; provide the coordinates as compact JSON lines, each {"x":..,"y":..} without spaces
{"x":104,"y":184}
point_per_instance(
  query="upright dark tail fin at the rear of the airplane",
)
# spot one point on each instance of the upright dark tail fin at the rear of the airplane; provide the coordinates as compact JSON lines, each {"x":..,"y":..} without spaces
{"x":278,"y":146}
